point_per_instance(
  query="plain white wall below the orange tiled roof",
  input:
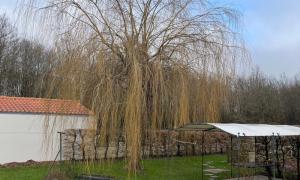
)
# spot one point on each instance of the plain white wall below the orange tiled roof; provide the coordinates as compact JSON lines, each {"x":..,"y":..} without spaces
{"x":23,"y":137}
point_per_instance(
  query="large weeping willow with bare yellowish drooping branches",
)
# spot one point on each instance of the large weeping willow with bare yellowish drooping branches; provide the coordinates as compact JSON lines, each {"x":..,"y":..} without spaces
{"x":141,"y":65}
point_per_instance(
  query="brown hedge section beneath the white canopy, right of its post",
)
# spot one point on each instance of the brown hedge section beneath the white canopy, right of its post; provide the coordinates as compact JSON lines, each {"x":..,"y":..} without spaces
{"x":263,"y":150}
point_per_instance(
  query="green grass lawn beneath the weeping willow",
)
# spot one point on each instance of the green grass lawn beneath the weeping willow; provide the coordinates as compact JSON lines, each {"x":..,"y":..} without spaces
{"x":167,"y":168}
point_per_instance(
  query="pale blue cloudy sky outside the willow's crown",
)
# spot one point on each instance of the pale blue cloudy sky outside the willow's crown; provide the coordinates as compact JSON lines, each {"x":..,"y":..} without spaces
{"x":271,"y":29}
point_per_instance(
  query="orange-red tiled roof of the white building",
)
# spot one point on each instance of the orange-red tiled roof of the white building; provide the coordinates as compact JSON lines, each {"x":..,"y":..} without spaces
{"x":41,"y":106}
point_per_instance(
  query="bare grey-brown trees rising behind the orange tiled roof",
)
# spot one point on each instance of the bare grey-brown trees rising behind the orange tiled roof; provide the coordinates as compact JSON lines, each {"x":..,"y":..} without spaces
{"x":24,"y":64}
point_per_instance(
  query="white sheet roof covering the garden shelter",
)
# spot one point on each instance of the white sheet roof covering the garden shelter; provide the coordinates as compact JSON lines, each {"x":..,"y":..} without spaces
{"x":257,"y":129}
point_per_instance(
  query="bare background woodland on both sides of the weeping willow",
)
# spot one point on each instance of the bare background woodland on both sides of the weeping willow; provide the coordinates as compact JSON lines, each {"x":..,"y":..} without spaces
{"x":26,"y":68}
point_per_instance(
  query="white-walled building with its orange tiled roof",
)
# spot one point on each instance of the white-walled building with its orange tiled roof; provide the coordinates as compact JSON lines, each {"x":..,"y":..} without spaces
{"x":29,"y":127}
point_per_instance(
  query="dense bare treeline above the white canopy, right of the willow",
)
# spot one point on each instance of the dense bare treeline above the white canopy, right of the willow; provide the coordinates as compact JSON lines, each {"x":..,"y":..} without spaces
{"x":261,"y":99}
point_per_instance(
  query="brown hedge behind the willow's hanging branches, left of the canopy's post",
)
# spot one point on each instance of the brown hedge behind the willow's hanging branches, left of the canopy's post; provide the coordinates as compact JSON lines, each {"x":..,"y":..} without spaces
{"x":80,"y":144}
